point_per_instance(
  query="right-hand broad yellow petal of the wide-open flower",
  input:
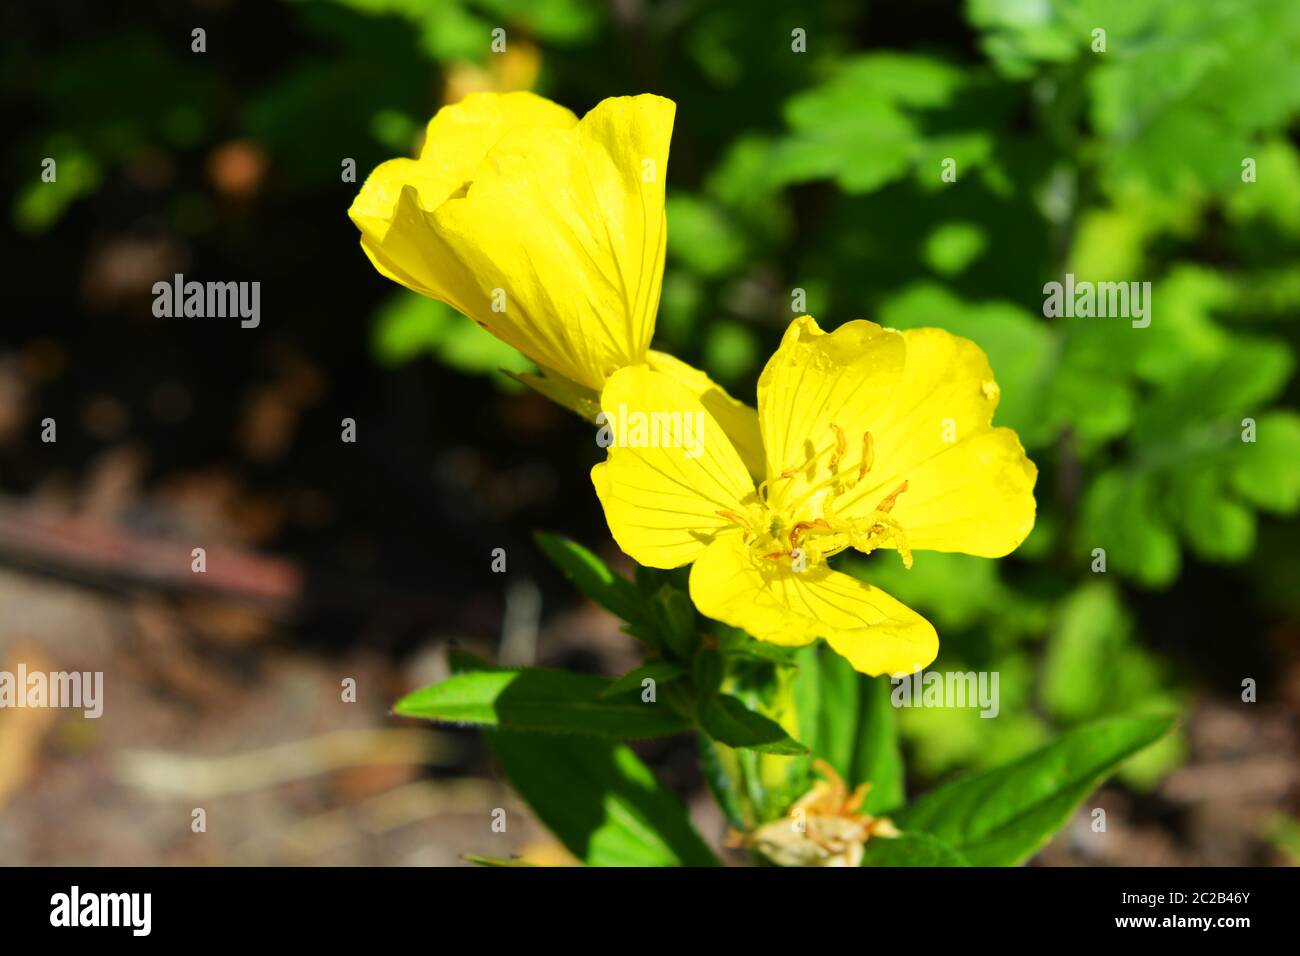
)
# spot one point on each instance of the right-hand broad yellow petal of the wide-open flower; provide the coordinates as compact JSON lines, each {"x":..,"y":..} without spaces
{"x":970,"y":487}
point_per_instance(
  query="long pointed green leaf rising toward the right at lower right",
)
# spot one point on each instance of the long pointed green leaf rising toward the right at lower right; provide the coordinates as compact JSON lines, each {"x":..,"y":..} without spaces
{"x":1002,"y":817}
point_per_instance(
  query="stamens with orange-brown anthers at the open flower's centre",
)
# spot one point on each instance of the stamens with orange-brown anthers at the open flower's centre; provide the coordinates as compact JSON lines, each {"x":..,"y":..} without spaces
{"x":804,"y":530}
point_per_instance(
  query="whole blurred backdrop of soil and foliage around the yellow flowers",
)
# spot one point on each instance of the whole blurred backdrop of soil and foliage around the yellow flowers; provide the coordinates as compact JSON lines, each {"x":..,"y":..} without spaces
{"x":814,"y":170}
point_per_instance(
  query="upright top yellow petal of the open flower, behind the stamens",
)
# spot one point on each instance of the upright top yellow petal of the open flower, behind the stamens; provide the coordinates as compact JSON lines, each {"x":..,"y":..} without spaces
{"x":818,"y":383}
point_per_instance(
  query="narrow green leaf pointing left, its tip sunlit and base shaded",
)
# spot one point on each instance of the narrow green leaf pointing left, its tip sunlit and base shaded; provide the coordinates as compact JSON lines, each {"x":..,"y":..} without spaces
{"x":544,"y":702}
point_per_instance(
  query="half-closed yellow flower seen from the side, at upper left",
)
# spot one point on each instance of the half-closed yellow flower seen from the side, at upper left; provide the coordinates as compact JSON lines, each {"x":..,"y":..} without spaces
{"x":545,"y":230}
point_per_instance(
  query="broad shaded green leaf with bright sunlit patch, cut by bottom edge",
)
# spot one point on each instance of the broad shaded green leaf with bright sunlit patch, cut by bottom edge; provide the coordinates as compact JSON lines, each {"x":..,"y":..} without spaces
{"x":601,"y":802}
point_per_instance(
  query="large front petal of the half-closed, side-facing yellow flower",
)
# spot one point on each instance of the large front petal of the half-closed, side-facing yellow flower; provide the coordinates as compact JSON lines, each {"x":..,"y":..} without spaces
{"x":557,"y":241}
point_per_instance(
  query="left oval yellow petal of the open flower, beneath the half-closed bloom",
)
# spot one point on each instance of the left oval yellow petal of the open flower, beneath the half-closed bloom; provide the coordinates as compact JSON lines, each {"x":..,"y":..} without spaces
{"x":670,"y":470}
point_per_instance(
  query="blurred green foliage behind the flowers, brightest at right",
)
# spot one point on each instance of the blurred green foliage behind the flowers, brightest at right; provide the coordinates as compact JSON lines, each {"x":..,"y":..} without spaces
{"x":818,"y":175}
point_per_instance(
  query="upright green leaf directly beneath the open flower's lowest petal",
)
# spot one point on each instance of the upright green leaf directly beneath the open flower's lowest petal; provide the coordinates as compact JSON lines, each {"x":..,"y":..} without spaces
{"x":847,"y":720}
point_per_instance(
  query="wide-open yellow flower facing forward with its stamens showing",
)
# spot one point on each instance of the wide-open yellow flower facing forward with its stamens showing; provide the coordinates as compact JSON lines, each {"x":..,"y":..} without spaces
{"x":873,"y":439}
